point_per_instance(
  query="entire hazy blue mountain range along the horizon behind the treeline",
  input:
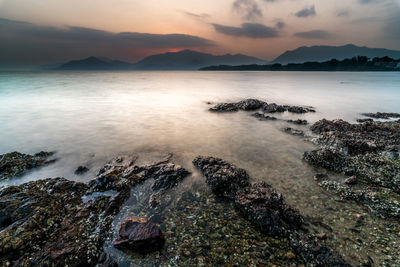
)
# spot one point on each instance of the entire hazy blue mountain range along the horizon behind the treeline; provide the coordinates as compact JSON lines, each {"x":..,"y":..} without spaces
{"x":193,"y":60}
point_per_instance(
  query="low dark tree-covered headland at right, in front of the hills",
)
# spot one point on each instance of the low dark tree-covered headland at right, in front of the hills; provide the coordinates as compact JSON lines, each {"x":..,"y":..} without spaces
{"x":360,"y":63}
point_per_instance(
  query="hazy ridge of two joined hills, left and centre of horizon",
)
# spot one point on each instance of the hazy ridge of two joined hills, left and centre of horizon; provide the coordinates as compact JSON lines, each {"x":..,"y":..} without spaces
{"x":182,"y":60}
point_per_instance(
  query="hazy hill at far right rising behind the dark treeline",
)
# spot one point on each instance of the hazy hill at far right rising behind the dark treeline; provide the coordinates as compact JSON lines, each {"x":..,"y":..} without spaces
{"x":324,"y":53}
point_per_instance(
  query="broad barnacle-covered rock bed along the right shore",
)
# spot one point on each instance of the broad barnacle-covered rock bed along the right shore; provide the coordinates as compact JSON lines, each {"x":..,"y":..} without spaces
{"x":367,"y":152}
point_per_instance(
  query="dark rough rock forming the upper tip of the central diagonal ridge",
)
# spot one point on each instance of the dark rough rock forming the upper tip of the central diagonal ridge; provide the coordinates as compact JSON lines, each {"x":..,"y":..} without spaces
{"x":225,"y":179}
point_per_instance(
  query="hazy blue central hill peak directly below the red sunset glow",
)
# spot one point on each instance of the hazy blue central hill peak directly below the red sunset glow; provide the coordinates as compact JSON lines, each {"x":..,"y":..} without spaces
{"x":192,"y":60}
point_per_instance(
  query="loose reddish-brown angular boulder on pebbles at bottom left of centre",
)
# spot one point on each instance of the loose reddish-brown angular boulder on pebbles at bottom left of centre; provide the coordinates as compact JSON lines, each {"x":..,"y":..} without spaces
{"x":139,"y":235}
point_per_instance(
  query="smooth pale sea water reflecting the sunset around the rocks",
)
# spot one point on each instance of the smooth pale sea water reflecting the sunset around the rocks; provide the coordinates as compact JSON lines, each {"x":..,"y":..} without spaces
{"x":87,"y":118}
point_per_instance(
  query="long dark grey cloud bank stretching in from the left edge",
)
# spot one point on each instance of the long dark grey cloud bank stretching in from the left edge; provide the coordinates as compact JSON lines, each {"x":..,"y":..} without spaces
{"x":28,"y":44}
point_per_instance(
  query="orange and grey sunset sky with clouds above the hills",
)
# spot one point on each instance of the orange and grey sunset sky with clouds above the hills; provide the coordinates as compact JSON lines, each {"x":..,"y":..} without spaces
{"x":37,"y":32}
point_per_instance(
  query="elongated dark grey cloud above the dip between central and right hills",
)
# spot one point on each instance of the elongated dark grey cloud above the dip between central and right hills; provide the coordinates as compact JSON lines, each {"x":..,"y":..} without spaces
{"x":251,"y":30}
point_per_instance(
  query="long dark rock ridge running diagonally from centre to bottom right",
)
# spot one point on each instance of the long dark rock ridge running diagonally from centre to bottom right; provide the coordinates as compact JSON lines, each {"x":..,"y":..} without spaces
{"x":266,"y":208}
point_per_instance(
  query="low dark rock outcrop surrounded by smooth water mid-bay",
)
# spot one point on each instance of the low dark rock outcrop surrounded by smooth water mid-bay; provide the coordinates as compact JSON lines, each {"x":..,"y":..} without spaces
{"x":255,"y":104}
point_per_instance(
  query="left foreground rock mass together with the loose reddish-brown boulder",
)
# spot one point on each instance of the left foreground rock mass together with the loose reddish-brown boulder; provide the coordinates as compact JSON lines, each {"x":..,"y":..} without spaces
{"x":57,"y":222}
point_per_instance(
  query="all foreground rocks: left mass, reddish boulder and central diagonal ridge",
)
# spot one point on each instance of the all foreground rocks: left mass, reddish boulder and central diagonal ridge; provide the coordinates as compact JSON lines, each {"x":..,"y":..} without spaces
{"x":57,"y":222}
